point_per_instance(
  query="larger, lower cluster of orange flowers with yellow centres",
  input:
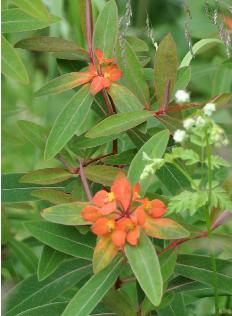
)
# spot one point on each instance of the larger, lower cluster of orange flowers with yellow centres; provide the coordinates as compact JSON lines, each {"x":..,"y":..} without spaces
{"x":121,"y":213}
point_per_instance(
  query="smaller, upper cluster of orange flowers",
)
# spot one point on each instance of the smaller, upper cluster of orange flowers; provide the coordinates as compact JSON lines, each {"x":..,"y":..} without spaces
{"x":102,"y":74}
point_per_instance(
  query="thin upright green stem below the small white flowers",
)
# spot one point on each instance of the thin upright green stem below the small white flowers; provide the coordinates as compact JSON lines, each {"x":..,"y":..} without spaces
{"x":208,"y":224}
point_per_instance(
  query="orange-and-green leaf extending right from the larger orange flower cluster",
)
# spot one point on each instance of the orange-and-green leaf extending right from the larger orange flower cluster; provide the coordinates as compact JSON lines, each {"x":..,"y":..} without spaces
{"x":164,"y":228}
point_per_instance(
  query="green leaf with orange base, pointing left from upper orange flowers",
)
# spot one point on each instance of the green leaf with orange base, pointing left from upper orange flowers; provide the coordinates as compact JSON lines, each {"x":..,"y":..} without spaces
{"x":63,"y":83}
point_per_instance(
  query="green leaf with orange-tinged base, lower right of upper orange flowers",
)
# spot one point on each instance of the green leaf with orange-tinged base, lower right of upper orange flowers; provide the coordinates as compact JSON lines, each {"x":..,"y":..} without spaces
{"x":124,"y":99}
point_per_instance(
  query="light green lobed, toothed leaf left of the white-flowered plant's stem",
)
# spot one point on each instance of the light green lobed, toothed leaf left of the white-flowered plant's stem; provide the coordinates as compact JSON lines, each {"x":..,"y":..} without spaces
{"x":188,"y":201}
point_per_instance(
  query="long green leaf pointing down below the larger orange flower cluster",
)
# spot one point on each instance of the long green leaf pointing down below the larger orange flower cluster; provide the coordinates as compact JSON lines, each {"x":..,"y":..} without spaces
{"x":145,"y":265}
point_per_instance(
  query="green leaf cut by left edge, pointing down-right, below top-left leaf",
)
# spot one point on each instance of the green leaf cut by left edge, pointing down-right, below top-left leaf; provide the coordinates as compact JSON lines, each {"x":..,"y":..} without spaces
{"x":12,"y":65}
